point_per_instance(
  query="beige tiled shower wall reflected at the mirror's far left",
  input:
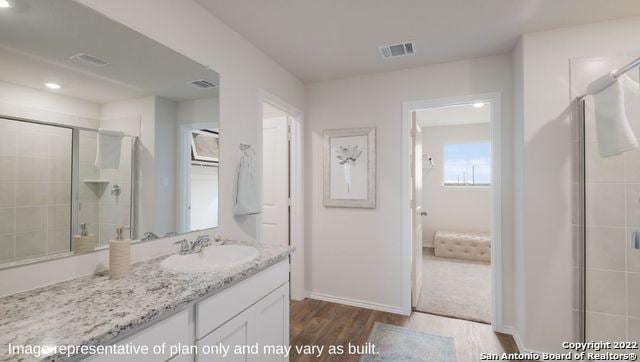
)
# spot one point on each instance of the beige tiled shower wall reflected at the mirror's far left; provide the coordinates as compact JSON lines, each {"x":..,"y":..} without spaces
{"x":35,"y":190}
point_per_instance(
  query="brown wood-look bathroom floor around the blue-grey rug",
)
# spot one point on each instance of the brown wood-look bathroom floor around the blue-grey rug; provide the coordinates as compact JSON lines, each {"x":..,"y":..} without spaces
{"x":316,"y":322}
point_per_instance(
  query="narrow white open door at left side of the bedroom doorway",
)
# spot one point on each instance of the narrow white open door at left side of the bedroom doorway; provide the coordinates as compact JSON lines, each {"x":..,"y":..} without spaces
{"x":416,"y":209}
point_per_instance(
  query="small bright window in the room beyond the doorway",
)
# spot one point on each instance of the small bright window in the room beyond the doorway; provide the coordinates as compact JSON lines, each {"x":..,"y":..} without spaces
{"x":467,"y":164}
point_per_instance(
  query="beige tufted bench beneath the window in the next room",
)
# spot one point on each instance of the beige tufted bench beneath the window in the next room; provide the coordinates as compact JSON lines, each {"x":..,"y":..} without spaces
{"x":463,"y":245}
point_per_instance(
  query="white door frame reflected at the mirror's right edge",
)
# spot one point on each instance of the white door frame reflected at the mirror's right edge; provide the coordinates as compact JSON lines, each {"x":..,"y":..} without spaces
{"x":184,"y":161}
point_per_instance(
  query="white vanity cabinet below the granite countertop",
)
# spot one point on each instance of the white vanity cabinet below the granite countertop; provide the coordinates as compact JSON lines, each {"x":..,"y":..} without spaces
{"x":253,"y":311}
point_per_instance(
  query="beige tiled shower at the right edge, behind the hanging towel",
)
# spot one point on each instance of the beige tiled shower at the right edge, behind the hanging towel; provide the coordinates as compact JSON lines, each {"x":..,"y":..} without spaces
{"x":607,"y":218}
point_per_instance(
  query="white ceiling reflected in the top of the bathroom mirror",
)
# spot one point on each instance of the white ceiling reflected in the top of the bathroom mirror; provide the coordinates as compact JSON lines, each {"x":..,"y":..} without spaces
{"x":38,"y":37}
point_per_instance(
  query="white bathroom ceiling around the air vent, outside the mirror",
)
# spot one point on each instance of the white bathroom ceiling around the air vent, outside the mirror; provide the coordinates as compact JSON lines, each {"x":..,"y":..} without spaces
{"x":328,"y":39}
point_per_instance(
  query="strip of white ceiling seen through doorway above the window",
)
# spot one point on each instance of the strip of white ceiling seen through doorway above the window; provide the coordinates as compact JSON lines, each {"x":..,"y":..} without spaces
{"x":453,"y":116}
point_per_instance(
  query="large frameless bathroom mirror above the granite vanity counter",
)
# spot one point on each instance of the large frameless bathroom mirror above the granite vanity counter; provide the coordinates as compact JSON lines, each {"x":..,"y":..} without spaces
{"x":100,"y":127}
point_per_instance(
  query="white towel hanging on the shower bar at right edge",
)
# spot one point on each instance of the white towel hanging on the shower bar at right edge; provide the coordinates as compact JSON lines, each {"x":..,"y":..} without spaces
{"x":607,"y":106}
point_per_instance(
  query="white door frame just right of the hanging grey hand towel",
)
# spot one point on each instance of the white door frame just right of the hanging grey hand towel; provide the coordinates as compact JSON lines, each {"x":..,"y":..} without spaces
{"x":296,"y":211}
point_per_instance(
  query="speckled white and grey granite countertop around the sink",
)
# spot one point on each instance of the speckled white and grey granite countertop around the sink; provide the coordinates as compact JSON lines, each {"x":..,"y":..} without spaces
{"x":95,"y":310}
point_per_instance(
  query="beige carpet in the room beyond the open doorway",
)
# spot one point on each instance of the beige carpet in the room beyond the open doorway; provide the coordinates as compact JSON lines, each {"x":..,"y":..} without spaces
{"x":455,"y":288}
